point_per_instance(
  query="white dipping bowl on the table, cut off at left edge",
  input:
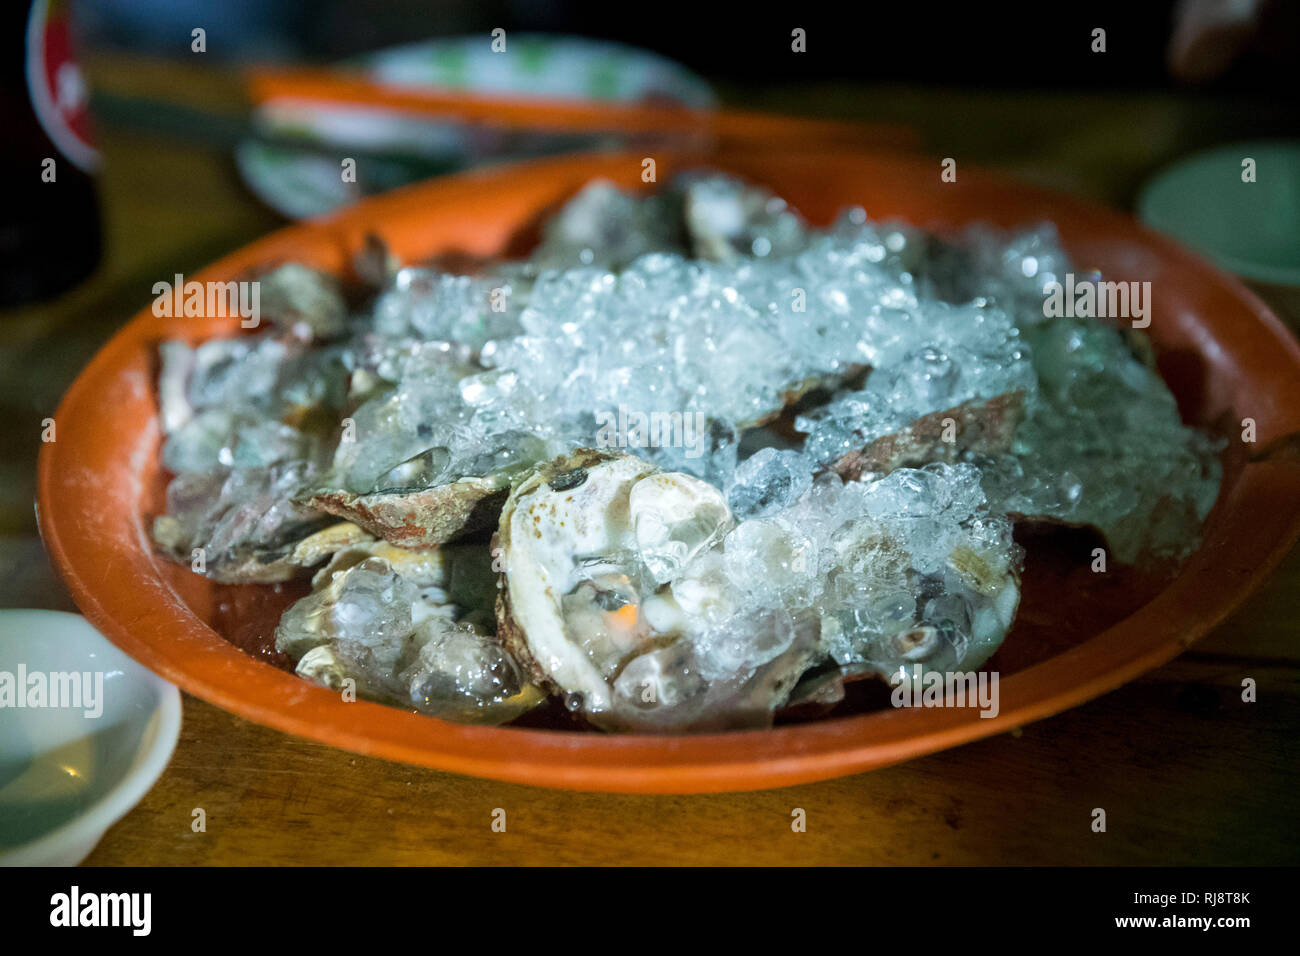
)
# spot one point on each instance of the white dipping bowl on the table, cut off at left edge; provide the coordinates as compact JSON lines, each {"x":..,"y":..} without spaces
{"x":71,"y":772}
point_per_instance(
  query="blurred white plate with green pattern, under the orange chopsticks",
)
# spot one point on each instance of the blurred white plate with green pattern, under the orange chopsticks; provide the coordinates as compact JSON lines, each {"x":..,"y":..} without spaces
{"x":293,"y":163}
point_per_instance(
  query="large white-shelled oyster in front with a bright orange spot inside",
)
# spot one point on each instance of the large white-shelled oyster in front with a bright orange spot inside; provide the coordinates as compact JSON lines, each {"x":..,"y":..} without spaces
{"x":612,"y":602}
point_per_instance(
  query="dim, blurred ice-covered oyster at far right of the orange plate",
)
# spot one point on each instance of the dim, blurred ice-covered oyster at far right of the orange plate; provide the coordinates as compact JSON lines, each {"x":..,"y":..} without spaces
{"x":1103,"y":445}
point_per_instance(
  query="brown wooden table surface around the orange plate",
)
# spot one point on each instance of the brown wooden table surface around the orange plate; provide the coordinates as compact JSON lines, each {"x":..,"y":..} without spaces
{"x":1186,"y":772}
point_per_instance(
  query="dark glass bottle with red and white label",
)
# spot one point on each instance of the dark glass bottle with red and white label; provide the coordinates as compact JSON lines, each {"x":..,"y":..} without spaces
{"x":50,"y":227}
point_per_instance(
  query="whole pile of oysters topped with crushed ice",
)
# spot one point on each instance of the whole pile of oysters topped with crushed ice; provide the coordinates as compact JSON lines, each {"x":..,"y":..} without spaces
{"x":692,"y":465}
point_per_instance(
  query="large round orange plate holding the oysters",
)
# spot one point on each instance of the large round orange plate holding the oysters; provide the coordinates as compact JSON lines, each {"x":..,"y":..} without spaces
{"x":101,"y":481}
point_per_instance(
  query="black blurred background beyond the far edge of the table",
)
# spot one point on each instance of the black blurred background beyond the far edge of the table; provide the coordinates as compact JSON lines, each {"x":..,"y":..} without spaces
{"x":1009,"y":45}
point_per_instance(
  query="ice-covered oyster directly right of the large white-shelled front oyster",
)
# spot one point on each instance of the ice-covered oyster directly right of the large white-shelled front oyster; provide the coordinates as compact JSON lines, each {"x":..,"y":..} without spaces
{"x":907,"y":569}
